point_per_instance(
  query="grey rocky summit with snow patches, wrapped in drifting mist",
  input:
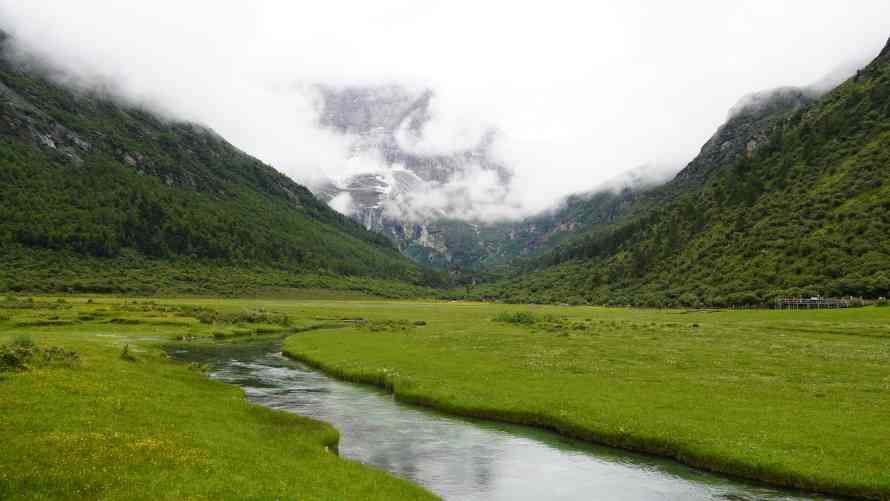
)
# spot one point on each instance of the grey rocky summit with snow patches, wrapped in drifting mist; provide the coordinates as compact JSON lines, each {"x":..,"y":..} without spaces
{"x":409,"y":162}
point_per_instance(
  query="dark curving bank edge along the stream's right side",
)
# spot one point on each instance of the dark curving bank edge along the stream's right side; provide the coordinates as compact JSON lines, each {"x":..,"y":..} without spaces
{"x":402,"y":390}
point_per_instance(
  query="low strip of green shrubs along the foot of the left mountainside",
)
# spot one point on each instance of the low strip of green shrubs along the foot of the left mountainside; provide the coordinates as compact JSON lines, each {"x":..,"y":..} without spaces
{"x":42,"y":271}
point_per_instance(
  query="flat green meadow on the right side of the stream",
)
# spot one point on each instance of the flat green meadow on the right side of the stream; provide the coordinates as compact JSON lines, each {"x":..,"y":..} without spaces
{"x":798,"y":399}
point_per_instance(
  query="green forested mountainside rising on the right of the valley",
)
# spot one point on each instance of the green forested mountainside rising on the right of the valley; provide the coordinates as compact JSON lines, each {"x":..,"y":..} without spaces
{"x":790,"y":197}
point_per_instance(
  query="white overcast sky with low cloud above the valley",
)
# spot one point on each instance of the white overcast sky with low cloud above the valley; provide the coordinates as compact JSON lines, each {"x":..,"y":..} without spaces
{"x":579,"y":91}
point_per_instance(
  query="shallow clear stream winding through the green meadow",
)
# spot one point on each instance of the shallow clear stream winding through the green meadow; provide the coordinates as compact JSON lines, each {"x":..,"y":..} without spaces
{"x":462,"y":459}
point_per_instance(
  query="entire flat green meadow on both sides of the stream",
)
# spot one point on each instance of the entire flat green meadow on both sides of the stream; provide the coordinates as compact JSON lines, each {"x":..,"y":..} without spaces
{"x":91,"y":406}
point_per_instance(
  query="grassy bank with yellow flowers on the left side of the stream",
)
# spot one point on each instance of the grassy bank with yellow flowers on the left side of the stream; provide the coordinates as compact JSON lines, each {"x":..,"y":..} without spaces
{"x":99,"y":425}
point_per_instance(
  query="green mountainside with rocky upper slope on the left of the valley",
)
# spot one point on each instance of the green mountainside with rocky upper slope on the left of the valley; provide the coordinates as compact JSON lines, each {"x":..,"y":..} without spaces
{"x":85,"y":178}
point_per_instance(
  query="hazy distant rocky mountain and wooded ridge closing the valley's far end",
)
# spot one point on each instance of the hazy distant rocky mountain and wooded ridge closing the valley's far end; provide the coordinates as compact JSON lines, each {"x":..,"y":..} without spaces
{"x":392,"y":197}
